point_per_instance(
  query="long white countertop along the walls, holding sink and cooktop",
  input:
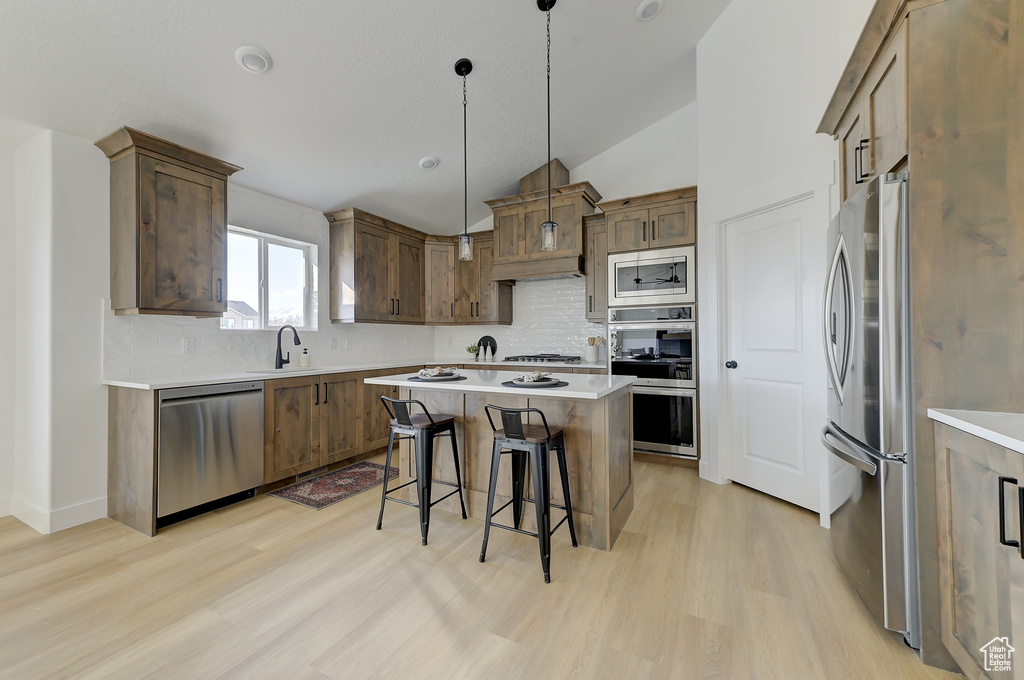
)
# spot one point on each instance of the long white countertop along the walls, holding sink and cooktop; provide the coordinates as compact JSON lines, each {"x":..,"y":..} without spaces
{"x":295,"y":372}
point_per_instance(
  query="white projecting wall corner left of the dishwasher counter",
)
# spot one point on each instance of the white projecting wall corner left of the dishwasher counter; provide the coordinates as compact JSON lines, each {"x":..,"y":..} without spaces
{"x":61,"y":269}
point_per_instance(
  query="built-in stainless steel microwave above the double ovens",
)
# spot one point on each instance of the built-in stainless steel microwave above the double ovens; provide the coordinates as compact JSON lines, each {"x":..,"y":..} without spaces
{"x":653,"y":277}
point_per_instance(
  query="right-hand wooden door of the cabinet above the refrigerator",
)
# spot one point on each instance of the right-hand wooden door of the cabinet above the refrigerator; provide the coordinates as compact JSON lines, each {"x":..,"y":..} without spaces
{"x":887,"y":107}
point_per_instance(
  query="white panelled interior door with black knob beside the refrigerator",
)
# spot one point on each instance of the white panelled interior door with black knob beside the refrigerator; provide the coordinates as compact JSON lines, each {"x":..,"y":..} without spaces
{"x":777,"y":392}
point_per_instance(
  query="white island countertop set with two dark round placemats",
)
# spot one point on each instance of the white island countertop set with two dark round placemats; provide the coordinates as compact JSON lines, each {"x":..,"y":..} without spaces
{"x":580,"y":387}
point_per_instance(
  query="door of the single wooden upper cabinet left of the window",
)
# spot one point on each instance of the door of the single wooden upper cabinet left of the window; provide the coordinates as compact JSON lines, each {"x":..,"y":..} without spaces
{"x":183,"y":239}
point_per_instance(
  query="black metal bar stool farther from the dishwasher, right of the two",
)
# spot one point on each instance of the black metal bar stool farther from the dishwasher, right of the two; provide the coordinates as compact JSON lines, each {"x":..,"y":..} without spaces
{"x":536,"y":442}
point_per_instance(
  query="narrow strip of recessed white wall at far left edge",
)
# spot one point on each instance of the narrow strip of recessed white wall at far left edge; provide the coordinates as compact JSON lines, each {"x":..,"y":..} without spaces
{"x":8,"y":308}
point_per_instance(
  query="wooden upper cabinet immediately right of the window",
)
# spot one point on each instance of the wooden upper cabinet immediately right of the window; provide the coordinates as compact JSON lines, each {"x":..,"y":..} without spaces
{"x":377,"y":270}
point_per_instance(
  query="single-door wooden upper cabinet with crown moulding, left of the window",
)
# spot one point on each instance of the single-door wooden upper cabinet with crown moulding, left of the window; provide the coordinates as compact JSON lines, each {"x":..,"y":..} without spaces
{"x":168,"y":227}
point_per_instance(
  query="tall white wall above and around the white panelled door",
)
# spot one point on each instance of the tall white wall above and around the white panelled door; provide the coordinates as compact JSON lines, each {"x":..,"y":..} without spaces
{"x":765,"y":75}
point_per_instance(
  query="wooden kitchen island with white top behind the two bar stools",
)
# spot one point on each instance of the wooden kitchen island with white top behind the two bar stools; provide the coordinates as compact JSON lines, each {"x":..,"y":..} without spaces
{"x":595,"y":413}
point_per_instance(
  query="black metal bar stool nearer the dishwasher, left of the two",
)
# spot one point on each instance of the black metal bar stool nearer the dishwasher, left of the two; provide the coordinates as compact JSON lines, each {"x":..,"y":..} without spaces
{"x":421,"y":429}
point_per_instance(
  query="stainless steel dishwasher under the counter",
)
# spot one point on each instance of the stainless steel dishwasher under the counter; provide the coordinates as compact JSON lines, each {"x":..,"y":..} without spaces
{"x":210,"y":445}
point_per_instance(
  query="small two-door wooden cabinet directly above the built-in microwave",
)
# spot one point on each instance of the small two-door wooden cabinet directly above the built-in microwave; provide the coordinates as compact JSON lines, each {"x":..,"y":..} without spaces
{"x":654,"y":221}
